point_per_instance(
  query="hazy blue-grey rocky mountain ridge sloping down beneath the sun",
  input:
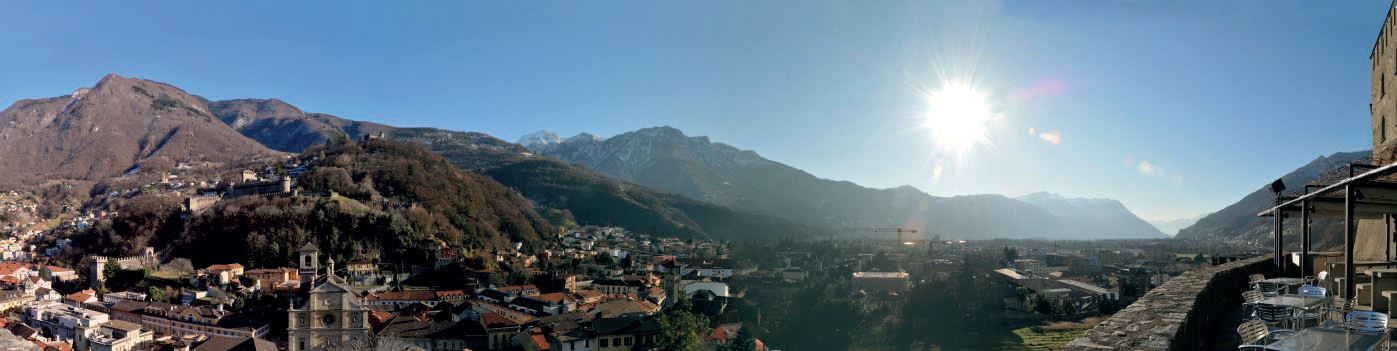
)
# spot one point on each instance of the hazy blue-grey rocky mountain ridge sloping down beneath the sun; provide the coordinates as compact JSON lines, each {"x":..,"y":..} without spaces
{"x":695,"y":167}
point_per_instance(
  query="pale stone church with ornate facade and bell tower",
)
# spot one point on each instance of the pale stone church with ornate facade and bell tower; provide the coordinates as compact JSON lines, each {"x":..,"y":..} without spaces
{"x":329,"y":314}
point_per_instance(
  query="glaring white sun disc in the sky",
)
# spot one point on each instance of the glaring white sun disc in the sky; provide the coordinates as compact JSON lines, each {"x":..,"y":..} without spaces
{"x":959,"y":117}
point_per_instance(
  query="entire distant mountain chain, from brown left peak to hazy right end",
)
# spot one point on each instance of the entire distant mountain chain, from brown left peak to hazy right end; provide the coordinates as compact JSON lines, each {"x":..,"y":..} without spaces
{"x":650,"y":180}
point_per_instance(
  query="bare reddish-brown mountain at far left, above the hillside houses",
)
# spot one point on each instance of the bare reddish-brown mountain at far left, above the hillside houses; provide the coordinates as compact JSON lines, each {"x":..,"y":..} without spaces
{"x":114,"y":128}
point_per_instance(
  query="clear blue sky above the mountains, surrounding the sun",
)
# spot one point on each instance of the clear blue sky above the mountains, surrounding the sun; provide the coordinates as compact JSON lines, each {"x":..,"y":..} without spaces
{"x":1217,"y":99}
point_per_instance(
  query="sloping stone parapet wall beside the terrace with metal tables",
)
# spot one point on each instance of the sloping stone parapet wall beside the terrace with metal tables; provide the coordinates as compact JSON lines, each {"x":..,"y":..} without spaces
{"x":1180,"y":315}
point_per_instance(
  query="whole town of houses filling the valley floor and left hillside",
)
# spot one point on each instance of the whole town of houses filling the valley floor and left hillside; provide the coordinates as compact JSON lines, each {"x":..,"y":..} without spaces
{"x":587,"y":289}
